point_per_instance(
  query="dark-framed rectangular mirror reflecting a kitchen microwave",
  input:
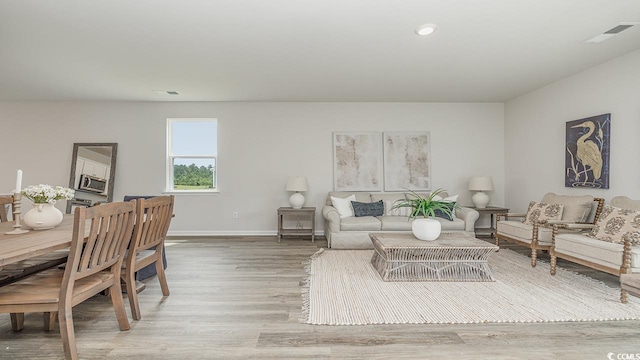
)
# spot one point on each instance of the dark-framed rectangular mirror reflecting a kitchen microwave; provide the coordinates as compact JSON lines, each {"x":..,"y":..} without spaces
{"x":93,"y":169}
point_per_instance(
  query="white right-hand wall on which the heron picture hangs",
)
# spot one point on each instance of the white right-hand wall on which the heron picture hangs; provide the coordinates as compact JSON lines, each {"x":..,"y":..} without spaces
{"x":535,"y":131}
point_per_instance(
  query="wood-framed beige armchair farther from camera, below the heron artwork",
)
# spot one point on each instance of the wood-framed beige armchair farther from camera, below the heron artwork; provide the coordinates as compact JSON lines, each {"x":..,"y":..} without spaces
{"x":534,"y":230}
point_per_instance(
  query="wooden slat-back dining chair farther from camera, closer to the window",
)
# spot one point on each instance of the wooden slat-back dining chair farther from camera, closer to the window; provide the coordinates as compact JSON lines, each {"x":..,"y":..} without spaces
{"x":153,"y":217}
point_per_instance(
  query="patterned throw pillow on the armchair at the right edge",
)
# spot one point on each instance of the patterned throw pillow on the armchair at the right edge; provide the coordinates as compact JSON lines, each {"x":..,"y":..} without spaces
{"x":616,"y":224}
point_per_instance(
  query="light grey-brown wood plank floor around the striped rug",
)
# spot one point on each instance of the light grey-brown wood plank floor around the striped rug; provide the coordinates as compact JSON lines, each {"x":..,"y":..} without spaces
{"x":239,"y":298}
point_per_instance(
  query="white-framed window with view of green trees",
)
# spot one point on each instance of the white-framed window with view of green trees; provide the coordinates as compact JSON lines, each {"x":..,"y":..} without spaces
{"x":192,"y":149}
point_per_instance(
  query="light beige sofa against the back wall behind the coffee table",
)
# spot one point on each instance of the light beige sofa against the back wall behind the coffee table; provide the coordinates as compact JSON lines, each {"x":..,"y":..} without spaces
{"x":353,"y":232}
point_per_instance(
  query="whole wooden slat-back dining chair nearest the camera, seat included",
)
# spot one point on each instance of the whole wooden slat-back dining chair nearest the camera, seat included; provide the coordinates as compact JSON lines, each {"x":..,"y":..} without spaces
{"x":100,"y":238}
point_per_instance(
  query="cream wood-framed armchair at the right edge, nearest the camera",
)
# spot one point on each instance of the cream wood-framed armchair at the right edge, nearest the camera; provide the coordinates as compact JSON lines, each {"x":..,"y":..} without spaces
{"x":613,"y":258}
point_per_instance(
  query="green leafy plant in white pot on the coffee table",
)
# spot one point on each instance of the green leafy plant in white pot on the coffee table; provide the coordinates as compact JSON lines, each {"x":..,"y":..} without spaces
{"x":422,"y":208}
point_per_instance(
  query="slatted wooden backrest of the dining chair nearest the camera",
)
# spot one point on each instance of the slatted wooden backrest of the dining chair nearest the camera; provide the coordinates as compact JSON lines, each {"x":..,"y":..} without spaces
{"x":109,"y":229}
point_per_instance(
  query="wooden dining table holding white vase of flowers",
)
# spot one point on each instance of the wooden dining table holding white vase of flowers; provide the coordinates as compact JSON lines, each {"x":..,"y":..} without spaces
{"x":15,"y":248}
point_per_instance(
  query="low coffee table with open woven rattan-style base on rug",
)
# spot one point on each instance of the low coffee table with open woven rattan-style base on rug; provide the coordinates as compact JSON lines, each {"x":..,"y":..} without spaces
{"x":454,"y":256}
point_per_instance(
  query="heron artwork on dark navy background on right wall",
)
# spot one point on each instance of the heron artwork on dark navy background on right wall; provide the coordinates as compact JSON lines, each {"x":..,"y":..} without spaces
{"x":587,"y":152}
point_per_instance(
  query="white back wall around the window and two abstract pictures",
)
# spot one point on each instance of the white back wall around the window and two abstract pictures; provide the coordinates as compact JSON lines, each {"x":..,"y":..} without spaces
{"x":260,"y":145}
